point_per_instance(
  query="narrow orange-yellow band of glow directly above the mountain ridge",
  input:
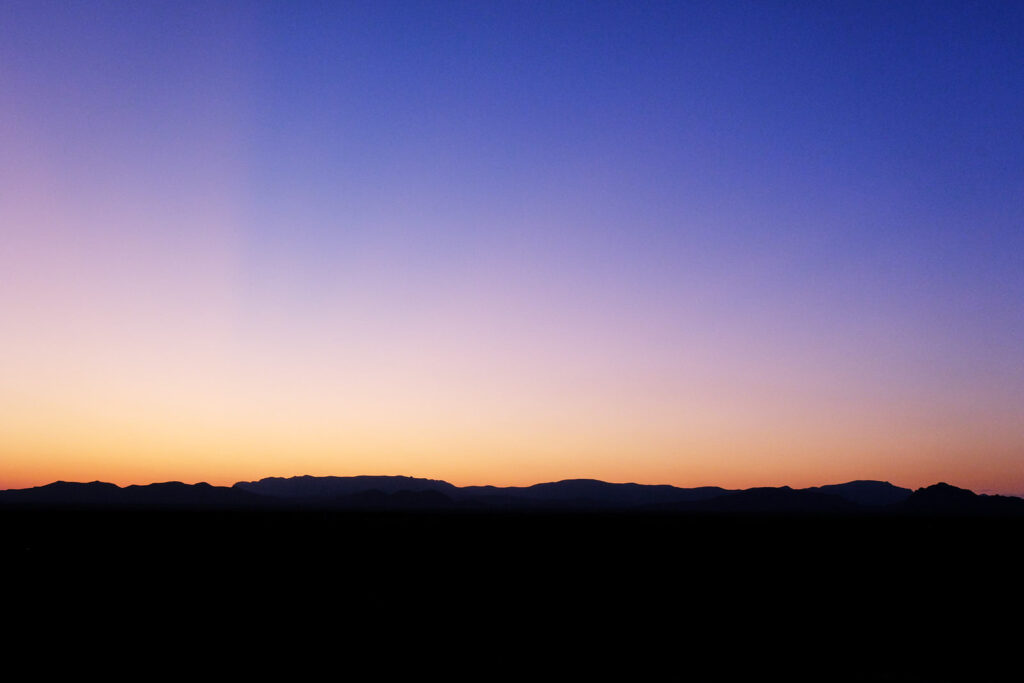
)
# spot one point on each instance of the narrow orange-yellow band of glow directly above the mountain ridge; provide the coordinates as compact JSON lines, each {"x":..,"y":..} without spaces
{"x":130,"y":449}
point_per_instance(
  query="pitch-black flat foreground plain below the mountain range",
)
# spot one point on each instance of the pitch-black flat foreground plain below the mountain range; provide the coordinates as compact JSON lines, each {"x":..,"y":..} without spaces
{"x":551,"y":595}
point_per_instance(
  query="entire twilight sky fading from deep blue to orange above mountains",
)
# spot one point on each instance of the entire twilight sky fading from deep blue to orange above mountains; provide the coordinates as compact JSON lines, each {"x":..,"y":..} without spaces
{"x":692,"y":243}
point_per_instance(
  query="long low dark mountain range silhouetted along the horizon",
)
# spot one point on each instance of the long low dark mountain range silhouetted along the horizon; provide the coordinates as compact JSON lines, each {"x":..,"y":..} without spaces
{"x":372,"y":493}
